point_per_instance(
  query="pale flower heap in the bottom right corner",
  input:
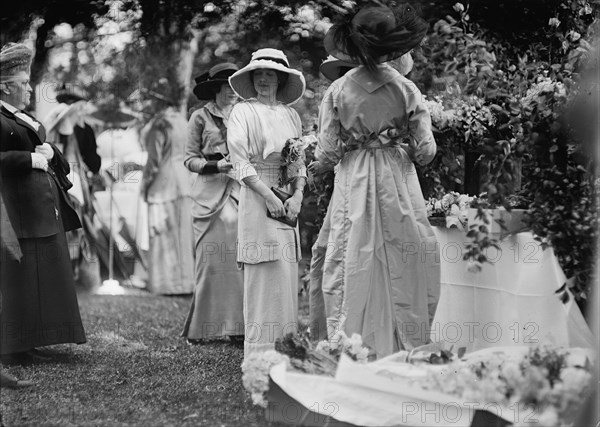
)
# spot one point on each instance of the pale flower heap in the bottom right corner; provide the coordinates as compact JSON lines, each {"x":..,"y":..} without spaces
{"x":545,"y":386}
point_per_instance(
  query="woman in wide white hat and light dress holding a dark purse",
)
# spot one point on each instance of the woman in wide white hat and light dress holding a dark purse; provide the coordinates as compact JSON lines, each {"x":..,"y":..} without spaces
{"x":268,"y":249}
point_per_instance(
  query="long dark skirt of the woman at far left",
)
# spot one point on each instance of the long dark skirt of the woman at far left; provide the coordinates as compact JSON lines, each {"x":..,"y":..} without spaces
{"x":39,"y":302}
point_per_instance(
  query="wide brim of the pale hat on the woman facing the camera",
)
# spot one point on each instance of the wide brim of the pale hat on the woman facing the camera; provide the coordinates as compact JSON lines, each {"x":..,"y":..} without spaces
{"x":243,"y":86}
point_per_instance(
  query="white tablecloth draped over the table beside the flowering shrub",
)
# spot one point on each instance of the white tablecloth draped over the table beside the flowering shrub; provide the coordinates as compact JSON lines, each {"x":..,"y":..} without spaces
{"x":509,"y":302}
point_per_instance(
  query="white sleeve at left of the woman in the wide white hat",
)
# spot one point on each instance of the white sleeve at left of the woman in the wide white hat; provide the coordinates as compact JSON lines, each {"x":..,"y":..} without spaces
{"x":238,"y":142}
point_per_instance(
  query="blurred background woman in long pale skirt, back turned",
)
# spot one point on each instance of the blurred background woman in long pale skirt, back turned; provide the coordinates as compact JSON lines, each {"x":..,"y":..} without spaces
{"x":166,"y":189}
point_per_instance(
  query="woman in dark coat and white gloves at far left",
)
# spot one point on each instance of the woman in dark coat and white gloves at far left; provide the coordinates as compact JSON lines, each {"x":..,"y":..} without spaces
{"x":39,"y":300}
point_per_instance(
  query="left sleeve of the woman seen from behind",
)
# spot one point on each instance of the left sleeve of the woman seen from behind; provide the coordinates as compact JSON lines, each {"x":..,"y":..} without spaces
{"x":329,"y":150}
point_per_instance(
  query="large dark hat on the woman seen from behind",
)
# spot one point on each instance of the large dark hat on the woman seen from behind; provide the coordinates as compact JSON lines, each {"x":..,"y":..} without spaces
{"x":375,"y":34}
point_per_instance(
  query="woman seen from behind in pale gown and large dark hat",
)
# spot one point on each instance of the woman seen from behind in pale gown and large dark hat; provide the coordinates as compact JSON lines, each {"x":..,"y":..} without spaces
{"x":381,"y":276}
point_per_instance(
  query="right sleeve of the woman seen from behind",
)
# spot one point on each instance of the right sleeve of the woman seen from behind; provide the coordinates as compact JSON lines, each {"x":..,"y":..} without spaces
{"x":419,"y":125}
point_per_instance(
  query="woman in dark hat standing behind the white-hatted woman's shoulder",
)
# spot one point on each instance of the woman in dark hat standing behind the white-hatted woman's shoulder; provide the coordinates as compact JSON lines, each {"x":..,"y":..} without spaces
{"x":217,"y":305}
